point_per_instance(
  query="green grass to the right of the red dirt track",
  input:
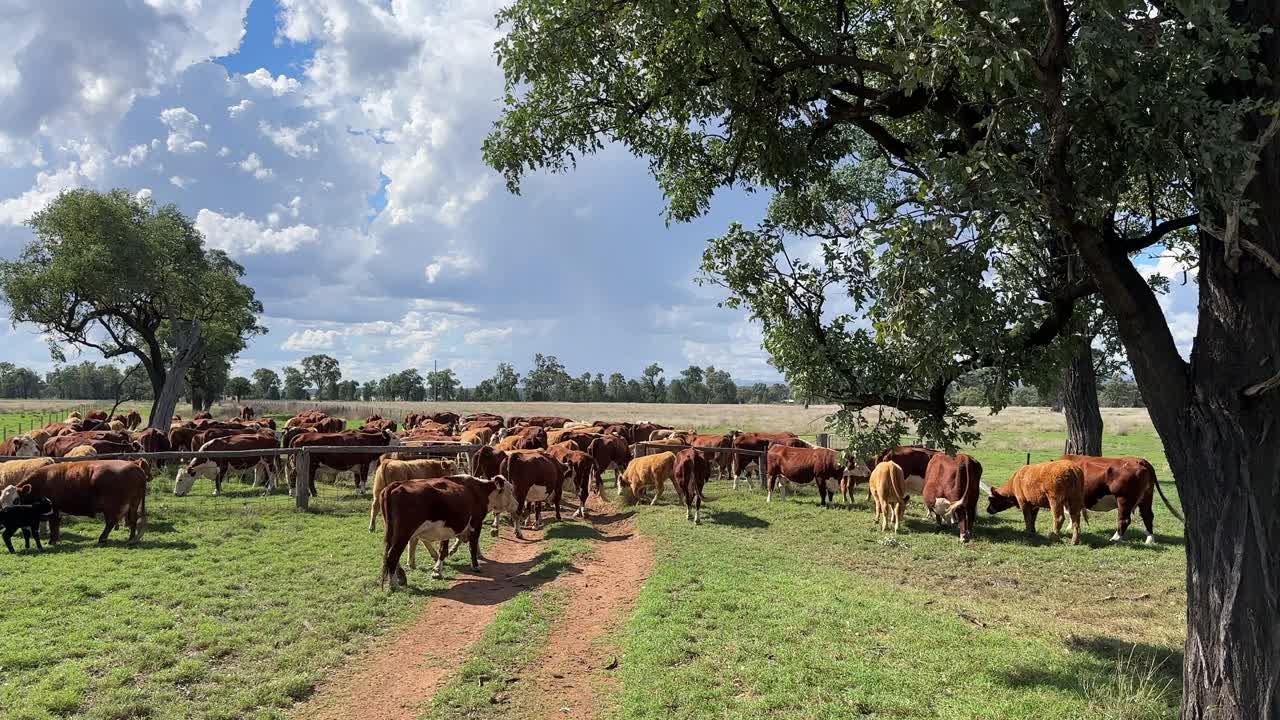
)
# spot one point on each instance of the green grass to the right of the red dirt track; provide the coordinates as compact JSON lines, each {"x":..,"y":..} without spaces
{"x":788,"y":610}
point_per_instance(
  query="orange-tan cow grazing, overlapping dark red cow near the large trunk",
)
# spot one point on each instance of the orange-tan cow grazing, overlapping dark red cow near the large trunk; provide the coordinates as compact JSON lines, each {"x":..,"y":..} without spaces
{"x":1058,"y":486}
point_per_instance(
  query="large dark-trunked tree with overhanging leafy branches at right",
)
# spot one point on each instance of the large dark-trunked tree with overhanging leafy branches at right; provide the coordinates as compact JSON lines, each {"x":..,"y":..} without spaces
{"x":1028,"y":134}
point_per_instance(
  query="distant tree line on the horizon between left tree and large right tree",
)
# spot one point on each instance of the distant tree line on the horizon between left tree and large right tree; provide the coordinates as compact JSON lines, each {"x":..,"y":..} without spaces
{"x":319,"y":377}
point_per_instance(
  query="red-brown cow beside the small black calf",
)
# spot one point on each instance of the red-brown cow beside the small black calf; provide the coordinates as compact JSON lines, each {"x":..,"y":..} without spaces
{"x":117,"y":489}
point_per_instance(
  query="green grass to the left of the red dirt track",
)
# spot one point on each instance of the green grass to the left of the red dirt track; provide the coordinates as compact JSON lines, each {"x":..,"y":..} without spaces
{"x":232,"y":607}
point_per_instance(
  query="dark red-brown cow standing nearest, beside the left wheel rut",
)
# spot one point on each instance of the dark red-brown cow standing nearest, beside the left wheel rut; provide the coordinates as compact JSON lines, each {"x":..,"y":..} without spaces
{"x":440,"y":512}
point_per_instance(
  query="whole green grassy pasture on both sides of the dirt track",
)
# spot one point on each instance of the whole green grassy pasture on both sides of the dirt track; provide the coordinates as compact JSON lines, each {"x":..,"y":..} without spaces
{"x":236,"y":607}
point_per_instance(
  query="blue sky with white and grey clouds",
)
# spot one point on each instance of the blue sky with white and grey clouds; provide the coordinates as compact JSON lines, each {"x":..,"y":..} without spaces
{"x":333,"y":148}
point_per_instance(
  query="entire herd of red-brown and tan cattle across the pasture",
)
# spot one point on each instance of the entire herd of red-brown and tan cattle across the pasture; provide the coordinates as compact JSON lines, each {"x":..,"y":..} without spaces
{"x":520,"y":466}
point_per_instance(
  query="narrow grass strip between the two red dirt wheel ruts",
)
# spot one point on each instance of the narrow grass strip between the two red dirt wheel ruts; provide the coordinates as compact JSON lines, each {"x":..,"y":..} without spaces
{"x":483,"y":686}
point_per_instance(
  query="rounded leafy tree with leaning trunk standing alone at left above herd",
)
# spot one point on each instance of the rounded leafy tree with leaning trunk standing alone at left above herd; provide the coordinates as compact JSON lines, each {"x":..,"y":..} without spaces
{"x":120,"y":275}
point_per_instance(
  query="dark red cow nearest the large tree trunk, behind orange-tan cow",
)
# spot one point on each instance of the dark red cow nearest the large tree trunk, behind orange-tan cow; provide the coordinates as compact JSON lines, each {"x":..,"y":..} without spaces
{"x":1122,"y":485}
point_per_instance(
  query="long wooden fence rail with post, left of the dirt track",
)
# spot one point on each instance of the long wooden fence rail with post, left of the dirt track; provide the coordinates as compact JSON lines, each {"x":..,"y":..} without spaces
{"x":304,"y":458}
